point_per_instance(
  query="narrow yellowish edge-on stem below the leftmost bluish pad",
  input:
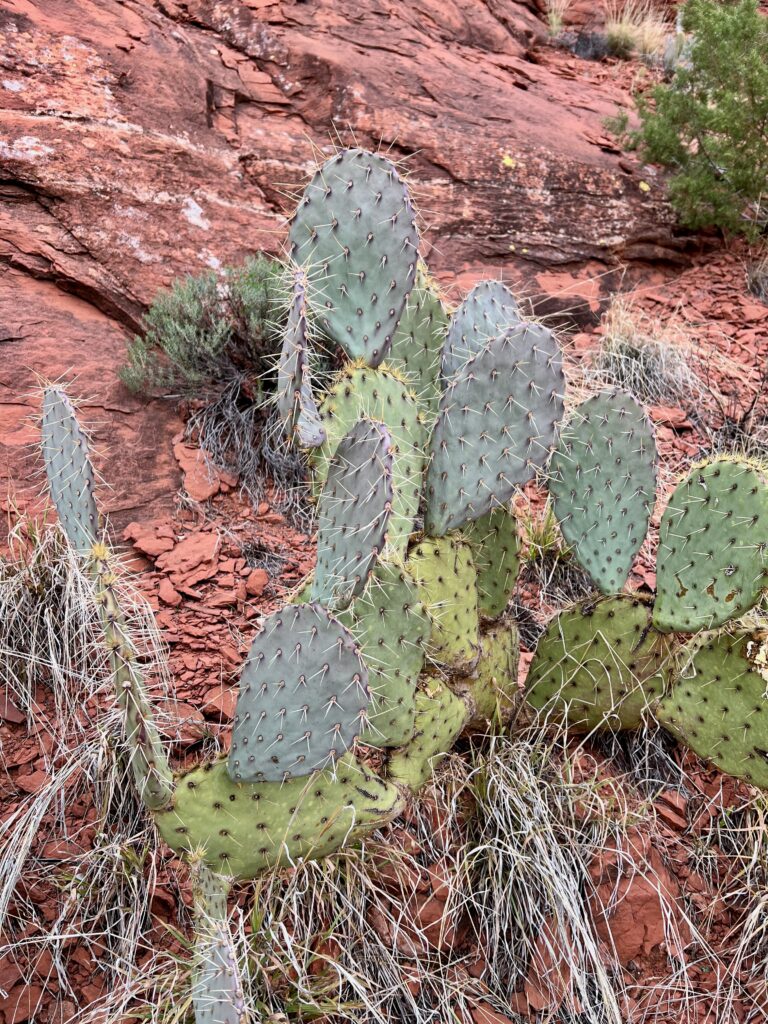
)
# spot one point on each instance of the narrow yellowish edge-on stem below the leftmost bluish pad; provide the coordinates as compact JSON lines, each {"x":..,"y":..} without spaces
{"x":152,"y":773}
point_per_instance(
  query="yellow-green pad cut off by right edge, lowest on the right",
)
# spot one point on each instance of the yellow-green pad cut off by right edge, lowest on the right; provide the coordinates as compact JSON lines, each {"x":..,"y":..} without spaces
{"x":718,"y":707}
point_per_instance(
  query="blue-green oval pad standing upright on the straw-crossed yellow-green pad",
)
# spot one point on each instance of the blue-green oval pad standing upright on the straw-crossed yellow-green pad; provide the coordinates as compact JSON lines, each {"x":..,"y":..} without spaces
{"x":603,"y":480}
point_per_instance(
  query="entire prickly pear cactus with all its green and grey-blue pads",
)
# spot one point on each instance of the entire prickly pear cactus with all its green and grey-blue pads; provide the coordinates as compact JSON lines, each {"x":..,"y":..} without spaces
{"x":403,"y":635}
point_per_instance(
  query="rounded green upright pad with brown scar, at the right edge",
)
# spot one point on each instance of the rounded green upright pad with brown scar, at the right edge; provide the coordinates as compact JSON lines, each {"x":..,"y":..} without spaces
{"x":712,"y":564}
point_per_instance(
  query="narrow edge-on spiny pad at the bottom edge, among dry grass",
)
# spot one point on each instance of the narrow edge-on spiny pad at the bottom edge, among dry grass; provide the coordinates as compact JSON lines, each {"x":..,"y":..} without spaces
{"x":218,"y":995}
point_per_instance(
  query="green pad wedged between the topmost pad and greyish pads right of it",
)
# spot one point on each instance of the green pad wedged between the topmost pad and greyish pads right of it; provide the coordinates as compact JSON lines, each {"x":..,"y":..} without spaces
{"x":418,"y":344}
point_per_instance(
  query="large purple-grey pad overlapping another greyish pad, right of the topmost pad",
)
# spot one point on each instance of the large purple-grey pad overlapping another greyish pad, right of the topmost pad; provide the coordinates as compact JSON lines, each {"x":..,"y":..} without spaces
{"x":495,"y":426}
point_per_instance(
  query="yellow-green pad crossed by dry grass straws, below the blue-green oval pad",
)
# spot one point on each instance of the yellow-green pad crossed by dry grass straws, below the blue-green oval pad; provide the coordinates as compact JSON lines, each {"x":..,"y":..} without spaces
{"x":600,"y":664}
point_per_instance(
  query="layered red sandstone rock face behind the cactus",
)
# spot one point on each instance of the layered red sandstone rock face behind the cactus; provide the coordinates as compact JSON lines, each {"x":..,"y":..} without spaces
{"x":141,"y":141}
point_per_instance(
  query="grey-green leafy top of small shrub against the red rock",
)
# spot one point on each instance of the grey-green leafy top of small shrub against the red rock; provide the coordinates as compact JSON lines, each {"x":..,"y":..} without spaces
{"x":201,"y":332}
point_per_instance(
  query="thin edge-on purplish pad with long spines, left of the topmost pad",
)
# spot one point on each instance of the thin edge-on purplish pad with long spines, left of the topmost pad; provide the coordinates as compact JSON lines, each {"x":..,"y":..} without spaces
{"x":298,"y":412}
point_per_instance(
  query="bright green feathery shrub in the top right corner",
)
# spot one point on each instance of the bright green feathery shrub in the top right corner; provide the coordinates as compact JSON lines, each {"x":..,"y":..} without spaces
{"x":711,"y":122}
